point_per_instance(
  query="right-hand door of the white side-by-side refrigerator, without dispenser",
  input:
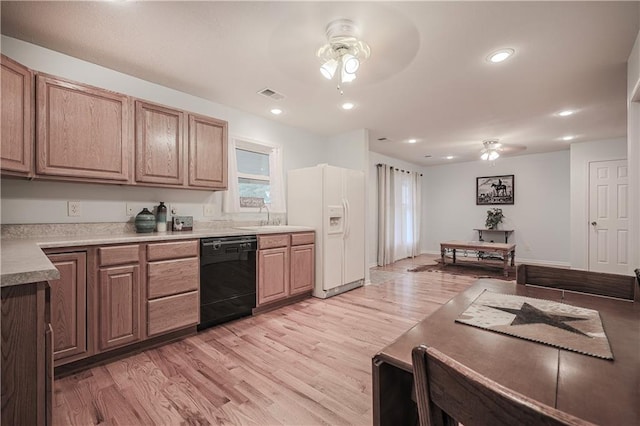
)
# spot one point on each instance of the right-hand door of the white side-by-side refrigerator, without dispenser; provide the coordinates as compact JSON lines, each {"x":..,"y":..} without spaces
{"x":354,"y":248}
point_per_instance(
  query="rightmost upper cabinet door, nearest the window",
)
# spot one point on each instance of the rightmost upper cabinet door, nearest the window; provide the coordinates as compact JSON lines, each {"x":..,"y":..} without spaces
{"x":207,"y":152}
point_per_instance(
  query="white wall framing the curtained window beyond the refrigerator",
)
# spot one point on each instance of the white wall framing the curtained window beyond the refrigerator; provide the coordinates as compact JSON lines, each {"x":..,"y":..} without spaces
{"x":372,"y":220}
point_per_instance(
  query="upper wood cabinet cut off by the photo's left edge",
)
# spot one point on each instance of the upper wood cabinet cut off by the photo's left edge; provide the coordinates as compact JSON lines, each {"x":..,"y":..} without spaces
{"x":16,"y":156}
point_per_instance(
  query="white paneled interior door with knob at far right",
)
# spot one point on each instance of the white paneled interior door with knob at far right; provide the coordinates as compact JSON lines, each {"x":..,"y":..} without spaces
{"x":608,"y":217}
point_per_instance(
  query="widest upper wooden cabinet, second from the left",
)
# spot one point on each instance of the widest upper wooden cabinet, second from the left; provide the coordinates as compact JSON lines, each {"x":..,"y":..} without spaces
{"x":82,"y":131}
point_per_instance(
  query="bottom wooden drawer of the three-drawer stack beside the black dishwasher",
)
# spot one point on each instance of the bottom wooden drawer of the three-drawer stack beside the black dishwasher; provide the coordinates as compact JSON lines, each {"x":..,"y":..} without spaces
{"x":173,"y":312}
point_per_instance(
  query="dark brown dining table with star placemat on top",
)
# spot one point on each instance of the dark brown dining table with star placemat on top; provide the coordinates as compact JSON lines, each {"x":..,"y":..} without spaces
{"x":605,"y":392}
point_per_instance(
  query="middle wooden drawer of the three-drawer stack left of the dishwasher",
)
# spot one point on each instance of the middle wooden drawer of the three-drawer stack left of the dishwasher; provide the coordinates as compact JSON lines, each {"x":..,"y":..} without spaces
{"x":172,"y":277}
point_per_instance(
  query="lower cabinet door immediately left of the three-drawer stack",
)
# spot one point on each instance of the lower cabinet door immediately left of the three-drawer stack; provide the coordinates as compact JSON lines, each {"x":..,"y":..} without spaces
{"x":119,"y":306}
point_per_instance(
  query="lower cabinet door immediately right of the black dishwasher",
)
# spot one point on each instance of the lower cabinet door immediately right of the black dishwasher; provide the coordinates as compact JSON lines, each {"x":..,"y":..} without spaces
{"x":273,"y":274}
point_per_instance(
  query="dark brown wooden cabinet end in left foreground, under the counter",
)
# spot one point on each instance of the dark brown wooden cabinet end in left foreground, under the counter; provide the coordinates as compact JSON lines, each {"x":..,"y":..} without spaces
{"x":26,"y":355}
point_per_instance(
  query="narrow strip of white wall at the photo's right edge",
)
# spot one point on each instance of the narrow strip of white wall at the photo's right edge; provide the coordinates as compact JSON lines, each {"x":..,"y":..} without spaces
{"x":633,"y":151}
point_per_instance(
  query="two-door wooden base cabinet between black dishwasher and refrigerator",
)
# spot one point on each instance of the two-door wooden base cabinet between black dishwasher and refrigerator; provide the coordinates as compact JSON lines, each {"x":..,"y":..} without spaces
{"x":286,"y":267}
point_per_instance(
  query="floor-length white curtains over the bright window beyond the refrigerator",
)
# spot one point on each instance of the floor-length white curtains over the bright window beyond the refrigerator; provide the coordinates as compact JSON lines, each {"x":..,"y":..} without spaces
{"x":399,"y":208}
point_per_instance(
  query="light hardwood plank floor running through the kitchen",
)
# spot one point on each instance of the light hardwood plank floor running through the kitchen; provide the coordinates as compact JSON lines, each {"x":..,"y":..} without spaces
{"x":304,"y":364}
